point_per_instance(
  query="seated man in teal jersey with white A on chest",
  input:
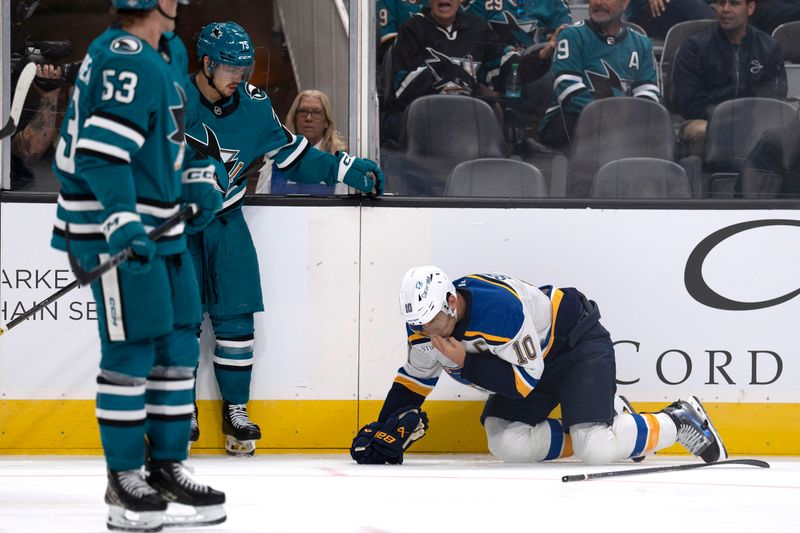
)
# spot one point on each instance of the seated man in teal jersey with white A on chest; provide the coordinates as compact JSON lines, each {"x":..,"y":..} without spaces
{"x":596,"y":59}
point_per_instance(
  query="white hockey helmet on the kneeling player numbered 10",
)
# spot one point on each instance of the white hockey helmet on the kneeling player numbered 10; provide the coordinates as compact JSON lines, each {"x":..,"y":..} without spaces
{"x":423,"y":293}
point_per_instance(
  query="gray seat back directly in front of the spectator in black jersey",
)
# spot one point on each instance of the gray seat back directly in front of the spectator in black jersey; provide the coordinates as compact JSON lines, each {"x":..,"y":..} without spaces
{"x":444,"y":130}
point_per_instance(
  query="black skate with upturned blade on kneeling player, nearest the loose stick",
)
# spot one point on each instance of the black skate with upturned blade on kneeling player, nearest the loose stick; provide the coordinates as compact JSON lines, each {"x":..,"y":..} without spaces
{"x":696,"y":433}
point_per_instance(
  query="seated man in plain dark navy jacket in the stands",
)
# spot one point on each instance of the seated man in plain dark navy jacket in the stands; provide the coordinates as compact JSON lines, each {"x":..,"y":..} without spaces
{"x":731,"y":59}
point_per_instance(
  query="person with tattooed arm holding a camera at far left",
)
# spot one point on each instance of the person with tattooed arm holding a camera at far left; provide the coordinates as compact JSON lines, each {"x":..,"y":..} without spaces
{"x":40,"y":130}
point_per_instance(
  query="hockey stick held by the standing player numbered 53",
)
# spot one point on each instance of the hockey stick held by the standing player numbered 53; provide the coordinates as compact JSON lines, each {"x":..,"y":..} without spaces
{"x":84,"y":277}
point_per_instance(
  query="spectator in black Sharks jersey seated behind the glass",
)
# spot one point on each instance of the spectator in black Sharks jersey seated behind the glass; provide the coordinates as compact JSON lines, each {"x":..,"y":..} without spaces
{"x":441,"y":50}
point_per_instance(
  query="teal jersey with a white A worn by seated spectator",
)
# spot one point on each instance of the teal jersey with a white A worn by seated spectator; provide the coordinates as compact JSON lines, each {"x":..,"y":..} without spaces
{"x":590,"y":66}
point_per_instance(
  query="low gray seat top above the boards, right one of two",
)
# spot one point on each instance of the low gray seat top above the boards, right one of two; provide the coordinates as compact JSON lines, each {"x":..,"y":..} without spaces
{"x":641,"y":177}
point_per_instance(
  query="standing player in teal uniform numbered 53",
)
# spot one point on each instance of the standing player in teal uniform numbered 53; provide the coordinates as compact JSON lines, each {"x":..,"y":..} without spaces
{"x":122,"y":168}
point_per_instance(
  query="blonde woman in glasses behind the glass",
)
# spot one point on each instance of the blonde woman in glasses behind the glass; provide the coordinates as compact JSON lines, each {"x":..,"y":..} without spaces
{"x":310,"y":116}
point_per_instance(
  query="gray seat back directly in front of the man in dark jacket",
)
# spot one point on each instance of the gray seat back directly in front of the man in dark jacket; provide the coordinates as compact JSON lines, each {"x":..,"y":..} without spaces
{"x":734,"y":129}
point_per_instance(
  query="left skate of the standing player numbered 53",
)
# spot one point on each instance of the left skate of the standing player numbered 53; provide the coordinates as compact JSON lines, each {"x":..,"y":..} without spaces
{"x":133,"y":505}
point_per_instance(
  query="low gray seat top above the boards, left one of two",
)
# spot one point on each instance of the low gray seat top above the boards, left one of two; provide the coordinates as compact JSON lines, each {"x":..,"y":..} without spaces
{"x":496,"y":178}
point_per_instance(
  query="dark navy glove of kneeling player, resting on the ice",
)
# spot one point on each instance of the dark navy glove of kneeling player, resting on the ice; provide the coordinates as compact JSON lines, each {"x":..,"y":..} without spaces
{"x":380,"y":443}
